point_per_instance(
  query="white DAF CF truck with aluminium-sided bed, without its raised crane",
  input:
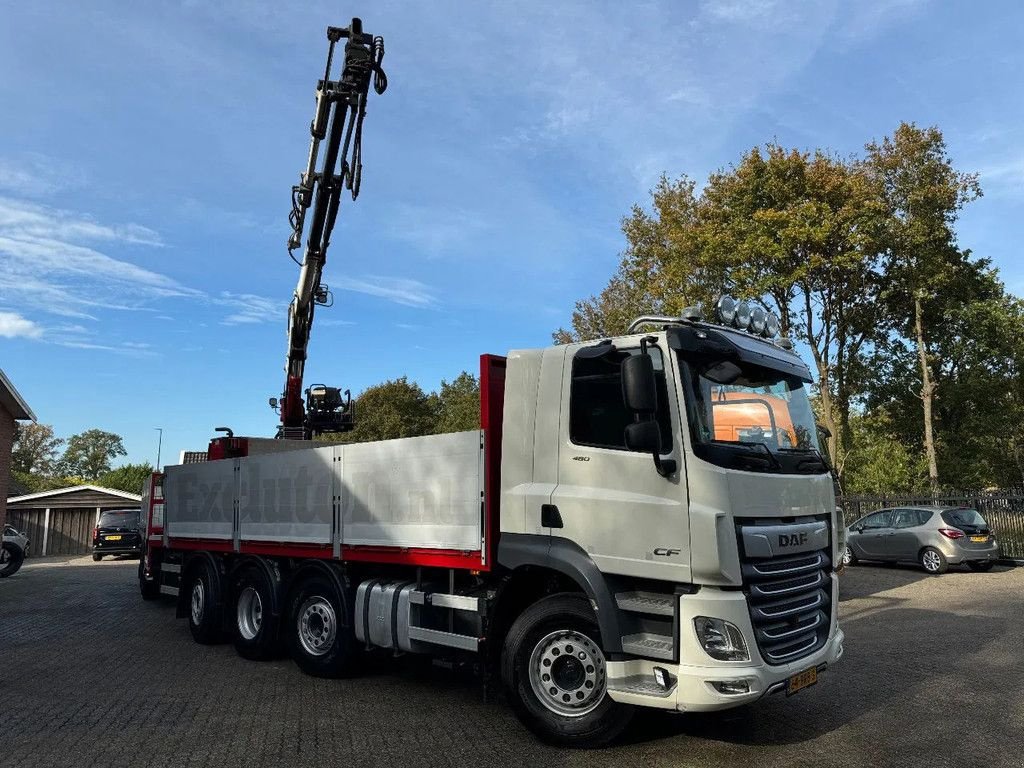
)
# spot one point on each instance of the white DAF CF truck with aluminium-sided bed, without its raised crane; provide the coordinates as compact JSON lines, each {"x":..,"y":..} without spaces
{"x":644,"y":522}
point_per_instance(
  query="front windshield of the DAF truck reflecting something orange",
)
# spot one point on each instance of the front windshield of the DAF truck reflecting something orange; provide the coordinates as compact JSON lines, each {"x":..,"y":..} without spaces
{"x":753,"y":418}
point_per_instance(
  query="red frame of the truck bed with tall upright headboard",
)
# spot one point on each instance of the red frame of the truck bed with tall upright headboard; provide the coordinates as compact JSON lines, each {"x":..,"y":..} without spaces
{"x":492,"y":408}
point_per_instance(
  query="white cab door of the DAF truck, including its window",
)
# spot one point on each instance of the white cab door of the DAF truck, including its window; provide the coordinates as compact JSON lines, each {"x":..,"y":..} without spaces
{"x":611,"y":501}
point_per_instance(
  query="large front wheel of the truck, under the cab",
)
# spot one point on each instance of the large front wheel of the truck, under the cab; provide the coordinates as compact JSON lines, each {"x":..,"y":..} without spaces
{"x":554,"y":674}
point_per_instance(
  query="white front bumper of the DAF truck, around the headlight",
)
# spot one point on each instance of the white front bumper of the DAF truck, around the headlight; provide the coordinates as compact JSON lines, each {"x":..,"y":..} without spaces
{"x":692,"y":681}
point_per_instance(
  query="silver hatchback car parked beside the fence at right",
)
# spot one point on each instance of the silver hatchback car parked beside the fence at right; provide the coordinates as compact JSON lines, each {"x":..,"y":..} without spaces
{"x":935,"y":538}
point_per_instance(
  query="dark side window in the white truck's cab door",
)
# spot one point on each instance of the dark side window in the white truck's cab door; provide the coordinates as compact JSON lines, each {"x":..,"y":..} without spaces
{"x":598,"y":414}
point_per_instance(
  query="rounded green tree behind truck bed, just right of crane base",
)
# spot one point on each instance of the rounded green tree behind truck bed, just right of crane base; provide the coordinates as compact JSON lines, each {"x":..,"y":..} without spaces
{"x":394,"y":409}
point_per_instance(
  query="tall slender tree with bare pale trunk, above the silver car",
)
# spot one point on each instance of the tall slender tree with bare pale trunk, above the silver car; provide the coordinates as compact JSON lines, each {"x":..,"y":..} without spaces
{"x":924,"y":268}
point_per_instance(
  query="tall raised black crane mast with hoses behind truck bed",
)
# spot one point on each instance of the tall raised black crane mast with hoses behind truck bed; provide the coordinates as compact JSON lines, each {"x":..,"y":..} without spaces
{"x":337,"y":124}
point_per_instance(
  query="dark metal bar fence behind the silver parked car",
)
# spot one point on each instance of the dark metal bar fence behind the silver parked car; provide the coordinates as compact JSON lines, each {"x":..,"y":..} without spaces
{"x":1003,"y":509}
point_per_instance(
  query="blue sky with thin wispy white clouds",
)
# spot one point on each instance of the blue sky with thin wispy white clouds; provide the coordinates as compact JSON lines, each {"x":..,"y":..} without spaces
{"x":148,"y":152}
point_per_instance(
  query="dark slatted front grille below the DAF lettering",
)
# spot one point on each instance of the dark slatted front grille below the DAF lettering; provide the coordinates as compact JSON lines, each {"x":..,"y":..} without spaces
{"x":790,"y":601}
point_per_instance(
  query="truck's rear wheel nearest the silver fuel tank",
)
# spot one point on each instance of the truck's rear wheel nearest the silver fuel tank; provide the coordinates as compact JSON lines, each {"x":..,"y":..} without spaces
{"x":320,"y":637}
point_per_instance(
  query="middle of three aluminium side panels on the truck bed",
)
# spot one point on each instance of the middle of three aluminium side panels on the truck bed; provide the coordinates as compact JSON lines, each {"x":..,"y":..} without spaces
{"x":286,"y":497}
